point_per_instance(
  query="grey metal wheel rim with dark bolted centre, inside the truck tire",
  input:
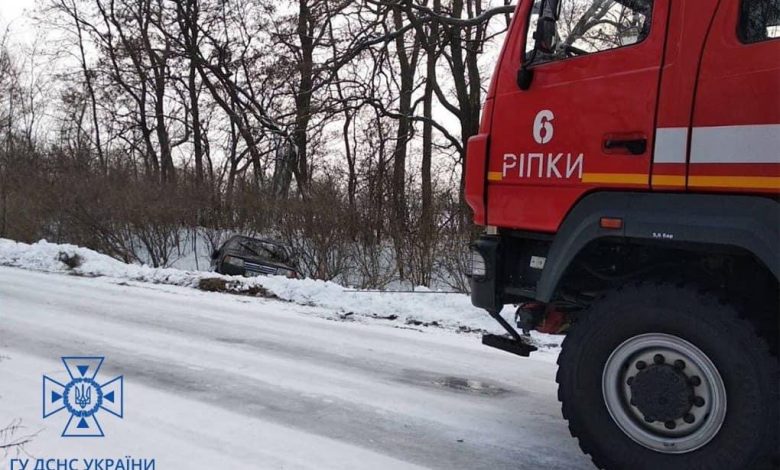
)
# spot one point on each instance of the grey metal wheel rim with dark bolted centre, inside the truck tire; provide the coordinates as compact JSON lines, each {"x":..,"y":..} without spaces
{"x":664,"y":393}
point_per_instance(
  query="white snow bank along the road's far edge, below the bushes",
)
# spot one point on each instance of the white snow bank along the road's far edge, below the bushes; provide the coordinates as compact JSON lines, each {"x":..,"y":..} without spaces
{"x":444,"y":310}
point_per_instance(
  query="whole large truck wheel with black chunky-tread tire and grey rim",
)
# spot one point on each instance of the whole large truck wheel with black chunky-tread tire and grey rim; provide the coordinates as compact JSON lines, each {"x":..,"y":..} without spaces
{"x":663,"y":376}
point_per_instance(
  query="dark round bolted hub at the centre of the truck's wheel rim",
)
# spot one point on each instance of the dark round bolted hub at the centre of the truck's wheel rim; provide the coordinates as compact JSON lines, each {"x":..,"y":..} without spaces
{"x":661,"y":393}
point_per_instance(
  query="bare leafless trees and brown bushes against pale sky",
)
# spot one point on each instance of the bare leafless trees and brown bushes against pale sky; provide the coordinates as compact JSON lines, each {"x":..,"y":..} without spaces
{"x":339,"y":126}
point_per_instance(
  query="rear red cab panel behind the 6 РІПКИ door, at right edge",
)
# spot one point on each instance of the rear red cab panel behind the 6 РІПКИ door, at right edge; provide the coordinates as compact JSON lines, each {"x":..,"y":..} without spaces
{"x":735,"y":144}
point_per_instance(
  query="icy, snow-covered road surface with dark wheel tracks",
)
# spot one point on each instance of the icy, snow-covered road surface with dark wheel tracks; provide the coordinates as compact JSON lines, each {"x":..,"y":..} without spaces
{"x":221,"y":381}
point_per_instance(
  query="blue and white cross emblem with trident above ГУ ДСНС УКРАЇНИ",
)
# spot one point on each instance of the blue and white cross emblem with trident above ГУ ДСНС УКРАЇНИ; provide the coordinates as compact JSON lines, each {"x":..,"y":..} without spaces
{"x":83,"y":397}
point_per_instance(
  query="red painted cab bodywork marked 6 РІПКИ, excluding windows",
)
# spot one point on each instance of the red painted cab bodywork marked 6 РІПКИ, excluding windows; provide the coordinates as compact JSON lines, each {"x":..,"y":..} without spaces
{"x":704,"y":103}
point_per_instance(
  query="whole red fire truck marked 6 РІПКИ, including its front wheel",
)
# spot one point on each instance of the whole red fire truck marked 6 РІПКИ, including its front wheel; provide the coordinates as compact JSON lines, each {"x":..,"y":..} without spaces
{"x":627,"y":173}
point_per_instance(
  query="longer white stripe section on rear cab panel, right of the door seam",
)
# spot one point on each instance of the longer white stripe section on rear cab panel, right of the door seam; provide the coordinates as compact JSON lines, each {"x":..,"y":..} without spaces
{"x":736,"y":144}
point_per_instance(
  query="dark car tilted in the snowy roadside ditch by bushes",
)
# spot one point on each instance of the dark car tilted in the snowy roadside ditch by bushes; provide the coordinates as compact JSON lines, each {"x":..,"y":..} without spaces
{"x":246,"y":256}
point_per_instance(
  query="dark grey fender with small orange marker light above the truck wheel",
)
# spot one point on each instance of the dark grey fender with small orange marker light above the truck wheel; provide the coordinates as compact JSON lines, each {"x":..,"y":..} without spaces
{"x":751,"y":223}
